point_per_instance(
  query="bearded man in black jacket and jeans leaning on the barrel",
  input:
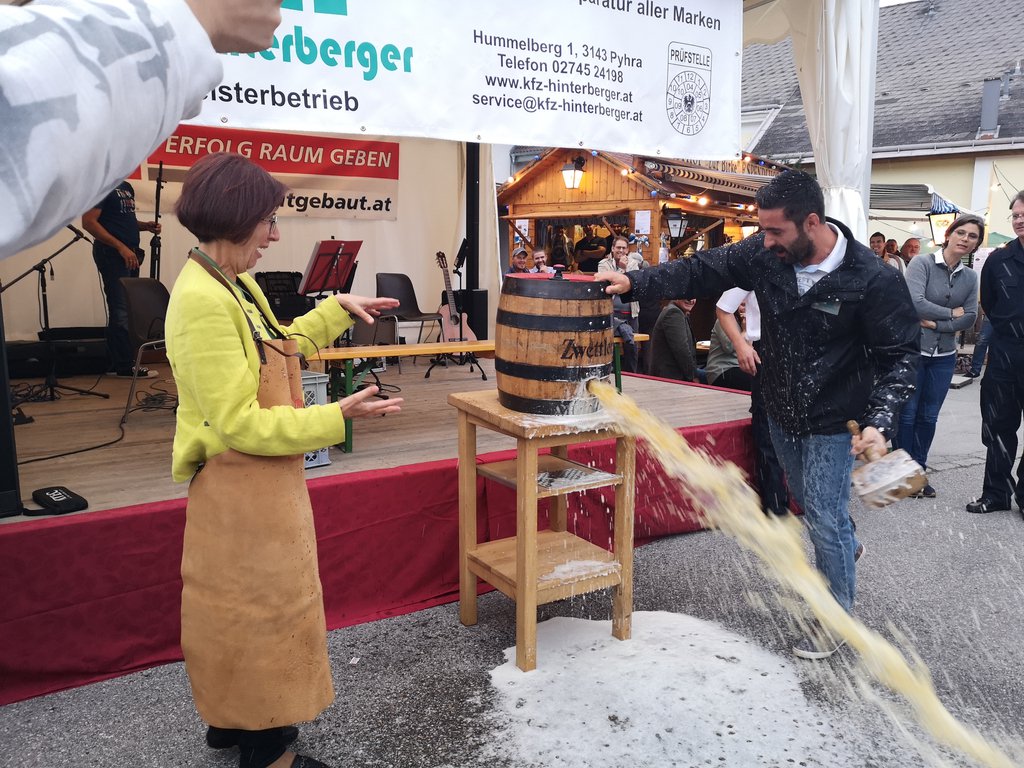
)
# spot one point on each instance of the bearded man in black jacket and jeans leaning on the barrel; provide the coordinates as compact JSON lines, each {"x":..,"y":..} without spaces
{"x":839,"y":342}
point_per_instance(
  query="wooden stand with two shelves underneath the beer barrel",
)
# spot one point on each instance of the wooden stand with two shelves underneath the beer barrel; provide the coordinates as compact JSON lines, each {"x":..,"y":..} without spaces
{"x":536,"y":568}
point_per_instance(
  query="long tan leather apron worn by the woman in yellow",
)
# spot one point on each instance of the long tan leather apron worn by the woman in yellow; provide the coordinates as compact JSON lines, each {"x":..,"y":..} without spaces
{"x":253,"y":630}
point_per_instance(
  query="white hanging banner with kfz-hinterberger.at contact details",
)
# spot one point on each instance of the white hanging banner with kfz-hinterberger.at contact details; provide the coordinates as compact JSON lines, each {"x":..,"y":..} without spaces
{"x":636,"y":76}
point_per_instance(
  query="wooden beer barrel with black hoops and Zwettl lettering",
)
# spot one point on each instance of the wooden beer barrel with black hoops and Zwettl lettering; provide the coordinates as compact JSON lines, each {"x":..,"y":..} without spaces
{"x":553,"y":335}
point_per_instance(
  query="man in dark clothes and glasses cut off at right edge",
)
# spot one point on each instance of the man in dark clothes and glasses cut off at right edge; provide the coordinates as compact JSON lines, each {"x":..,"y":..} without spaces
{"x":1003,"y":386}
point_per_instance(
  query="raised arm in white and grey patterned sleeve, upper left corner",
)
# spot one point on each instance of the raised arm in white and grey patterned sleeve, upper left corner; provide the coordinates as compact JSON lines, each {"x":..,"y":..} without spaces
{"x":89,"y":90}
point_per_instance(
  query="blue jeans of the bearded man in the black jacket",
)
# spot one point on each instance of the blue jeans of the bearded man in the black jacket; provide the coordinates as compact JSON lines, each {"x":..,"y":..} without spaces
{"x":818,"y":468}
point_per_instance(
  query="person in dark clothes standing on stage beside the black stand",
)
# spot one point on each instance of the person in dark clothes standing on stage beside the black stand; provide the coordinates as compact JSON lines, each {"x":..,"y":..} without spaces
{"x":115,"y":249}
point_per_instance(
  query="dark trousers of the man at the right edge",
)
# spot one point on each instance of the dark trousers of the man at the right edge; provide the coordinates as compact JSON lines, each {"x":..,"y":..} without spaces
{"x":1002,"y":407}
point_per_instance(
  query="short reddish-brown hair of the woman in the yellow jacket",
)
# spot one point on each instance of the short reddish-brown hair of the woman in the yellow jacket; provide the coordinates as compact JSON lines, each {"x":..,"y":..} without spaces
{"x":226,"y":196}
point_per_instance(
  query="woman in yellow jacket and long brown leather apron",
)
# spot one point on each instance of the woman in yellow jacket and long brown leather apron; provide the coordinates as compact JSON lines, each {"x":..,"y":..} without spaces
{"x":253,"y":631}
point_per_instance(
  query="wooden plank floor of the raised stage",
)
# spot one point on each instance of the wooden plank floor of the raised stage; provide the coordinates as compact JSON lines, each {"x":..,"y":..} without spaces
{"x":137,"y":471}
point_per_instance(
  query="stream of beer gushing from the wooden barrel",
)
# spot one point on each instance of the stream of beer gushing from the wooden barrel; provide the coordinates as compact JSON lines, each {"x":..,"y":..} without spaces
{"x":728,"y":503}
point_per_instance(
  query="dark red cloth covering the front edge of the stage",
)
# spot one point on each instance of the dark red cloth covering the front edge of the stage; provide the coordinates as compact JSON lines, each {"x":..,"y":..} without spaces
{"x":98,"y":595}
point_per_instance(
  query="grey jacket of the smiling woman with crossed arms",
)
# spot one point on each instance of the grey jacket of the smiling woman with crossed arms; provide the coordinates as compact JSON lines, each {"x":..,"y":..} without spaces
{"x":936,"y":292}
